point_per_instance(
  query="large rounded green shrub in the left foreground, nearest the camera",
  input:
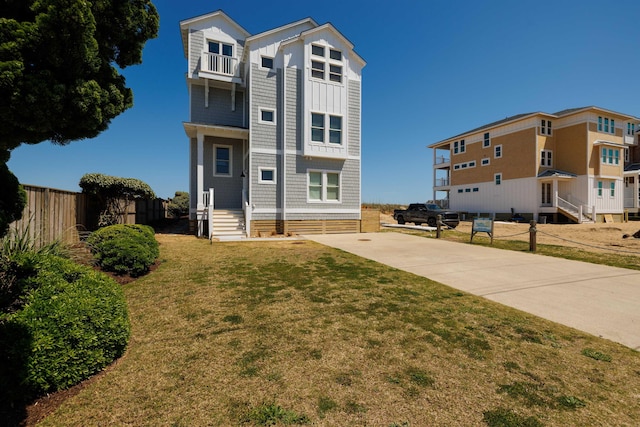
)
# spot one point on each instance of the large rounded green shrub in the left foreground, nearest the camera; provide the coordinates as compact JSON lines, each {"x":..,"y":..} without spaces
{"x":72,"y":324}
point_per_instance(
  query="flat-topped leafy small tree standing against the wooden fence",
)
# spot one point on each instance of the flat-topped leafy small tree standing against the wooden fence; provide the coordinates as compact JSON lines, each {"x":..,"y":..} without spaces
{"x":112,"y":193}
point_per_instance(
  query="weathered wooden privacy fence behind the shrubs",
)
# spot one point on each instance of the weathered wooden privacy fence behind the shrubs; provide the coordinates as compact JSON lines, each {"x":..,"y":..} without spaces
{"x":52,"y":214}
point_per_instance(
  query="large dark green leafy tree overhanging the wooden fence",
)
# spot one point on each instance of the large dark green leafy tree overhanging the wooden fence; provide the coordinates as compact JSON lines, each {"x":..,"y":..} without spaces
{"x":60,"y":63}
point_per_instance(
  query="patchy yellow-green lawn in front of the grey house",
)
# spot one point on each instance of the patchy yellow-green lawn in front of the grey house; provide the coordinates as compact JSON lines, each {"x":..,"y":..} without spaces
{"x":295,"y":333}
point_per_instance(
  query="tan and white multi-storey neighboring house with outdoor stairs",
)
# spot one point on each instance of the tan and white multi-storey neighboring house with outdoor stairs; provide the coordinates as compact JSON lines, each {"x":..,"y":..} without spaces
{"x":576,"y":165}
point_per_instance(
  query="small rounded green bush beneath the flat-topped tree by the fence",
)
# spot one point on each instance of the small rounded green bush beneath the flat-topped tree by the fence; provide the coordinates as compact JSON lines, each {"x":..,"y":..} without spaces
{"x":125,"y":248}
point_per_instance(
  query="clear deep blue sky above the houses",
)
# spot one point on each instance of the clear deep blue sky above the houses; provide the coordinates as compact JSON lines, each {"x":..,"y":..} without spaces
{"x":435,"y":68}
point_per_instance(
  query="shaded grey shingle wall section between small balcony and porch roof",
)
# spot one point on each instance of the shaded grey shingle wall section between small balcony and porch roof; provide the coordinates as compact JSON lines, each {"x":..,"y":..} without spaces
{"x":219,"y":111}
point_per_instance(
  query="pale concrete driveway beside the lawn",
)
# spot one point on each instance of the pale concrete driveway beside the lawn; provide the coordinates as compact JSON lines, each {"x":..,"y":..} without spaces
{"x":600,"y":300}
